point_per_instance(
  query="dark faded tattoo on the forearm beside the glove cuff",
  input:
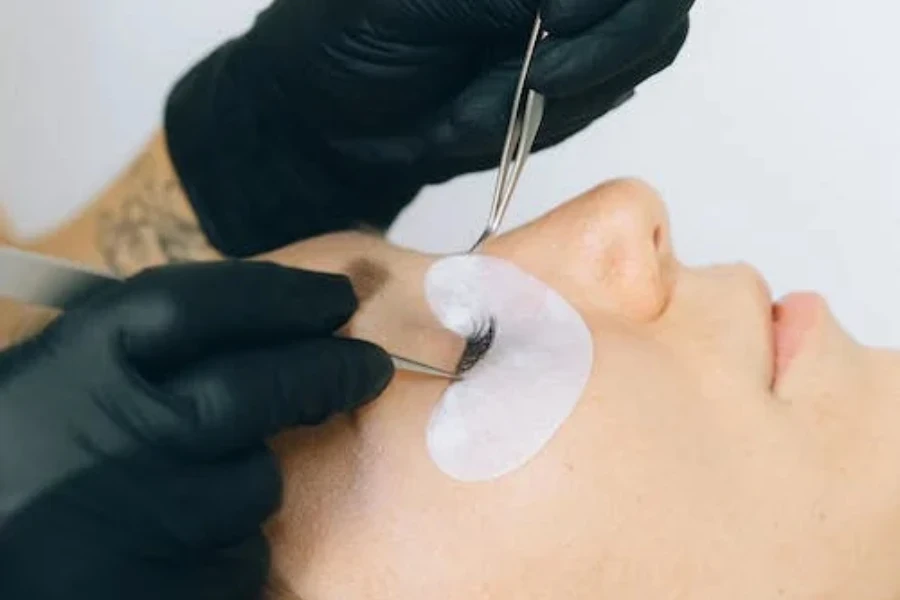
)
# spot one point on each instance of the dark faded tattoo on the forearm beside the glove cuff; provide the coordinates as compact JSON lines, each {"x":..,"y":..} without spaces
{"x":148,"y":229}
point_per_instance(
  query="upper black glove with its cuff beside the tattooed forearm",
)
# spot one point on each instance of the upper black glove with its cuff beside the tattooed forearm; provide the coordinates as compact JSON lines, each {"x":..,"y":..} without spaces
{"x":329,"y":113}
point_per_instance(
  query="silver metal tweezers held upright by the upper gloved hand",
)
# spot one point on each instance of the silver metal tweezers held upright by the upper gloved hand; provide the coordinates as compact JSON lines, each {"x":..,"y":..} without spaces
{"x":524,"y":124}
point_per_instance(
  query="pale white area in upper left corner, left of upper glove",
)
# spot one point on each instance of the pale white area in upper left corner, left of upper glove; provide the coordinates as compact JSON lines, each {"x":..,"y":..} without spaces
{"x":81,"y":88}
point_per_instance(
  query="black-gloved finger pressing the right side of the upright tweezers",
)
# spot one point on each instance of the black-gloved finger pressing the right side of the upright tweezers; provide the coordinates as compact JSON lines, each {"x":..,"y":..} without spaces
{"x":567,"y":66}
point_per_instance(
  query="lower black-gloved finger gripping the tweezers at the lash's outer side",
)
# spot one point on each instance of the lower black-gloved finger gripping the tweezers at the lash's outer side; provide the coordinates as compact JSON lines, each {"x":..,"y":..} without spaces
{"x":236,"y":401}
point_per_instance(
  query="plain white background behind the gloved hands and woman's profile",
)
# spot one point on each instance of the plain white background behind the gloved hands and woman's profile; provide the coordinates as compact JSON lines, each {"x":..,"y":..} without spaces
{"x":775,"y":138}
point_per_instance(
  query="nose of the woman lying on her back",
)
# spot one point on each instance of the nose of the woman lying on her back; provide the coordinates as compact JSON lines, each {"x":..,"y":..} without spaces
{"x":608,"y":250}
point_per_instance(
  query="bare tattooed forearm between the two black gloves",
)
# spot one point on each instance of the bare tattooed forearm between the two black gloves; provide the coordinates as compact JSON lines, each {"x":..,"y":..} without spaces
{"x":143,"y":219}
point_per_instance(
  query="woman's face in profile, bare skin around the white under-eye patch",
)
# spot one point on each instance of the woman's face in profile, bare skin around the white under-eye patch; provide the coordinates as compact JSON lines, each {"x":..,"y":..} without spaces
{"x":720,"y":449}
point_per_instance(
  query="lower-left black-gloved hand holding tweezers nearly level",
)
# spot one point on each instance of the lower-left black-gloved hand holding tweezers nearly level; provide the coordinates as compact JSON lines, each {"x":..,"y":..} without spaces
{"x":132,"y":455}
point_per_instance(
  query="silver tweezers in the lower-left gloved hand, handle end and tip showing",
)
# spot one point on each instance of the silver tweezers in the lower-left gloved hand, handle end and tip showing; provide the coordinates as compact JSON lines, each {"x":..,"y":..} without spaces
{"x":54,"y":283}
